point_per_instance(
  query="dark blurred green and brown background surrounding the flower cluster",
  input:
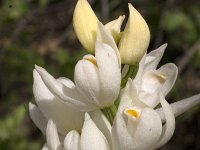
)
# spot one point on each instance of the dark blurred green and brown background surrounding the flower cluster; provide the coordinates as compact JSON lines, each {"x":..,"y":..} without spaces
{"x":40,"y":32}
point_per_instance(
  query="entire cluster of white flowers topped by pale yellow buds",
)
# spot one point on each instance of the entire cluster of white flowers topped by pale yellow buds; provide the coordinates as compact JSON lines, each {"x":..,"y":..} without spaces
{"x":106,"y":108}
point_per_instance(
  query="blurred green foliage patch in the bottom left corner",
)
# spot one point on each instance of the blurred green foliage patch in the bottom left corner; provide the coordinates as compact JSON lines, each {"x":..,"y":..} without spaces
{"x":13,"y":133}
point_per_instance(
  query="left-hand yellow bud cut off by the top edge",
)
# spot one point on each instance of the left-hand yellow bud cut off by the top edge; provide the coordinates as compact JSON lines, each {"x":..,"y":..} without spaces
{"x":85,"y":25}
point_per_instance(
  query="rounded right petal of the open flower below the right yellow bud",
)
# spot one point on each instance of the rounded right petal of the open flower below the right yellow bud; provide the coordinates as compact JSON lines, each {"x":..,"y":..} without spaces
{"x":171,"y":72}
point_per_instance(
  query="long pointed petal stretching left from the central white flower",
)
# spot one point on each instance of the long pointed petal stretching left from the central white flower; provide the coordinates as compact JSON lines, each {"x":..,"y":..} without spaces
{"x":70,"y":95}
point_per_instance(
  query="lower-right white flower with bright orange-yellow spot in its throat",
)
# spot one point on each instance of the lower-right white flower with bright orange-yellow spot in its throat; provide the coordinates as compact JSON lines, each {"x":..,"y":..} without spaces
{"x":139,"y":127}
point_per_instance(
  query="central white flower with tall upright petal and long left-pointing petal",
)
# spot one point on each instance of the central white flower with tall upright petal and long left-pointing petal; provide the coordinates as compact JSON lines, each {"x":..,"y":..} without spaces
{"x":97,"y":79}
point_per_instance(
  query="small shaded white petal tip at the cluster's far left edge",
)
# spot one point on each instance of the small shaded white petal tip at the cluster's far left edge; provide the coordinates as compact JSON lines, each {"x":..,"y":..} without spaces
{"x":37,"y":117}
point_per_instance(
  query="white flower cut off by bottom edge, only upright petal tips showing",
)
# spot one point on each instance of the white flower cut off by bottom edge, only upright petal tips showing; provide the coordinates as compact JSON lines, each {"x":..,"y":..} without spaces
{"x":89,"y":138}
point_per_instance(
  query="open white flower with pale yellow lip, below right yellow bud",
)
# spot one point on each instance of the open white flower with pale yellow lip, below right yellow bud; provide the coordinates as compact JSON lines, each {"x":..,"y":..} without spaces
{"x":150,"y":81}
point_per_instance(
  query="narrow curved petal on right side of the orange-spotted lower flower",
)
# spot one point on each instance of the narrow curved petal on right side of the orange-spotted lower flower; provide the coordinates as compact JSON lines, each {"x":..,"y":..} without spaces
{"x":169,"y":127}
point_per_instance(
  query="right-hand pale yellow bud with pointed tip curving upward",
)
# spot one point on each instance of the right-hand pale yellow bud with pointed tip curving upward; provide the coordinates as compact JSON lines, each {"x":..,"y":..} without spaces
{"x":135,"y":38}
